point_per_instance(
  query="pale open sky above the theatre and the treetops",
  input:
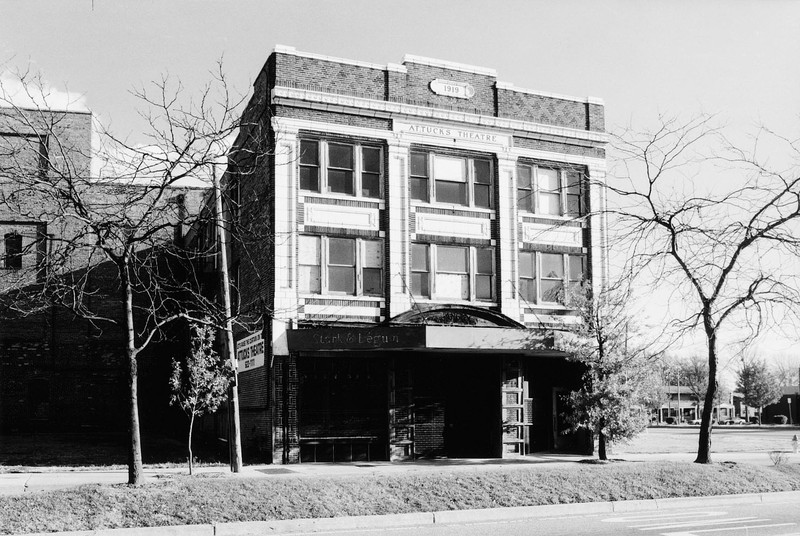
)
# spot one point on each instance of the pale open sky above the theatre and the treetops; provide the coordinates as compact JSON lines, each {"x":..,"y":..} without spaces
{"x":735,"y":58}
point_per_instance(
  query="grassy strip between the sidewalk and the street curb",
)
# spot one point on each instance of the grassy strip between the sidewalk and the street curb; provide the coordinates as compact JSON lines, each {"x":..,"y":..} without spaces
{"x":180,"y":500}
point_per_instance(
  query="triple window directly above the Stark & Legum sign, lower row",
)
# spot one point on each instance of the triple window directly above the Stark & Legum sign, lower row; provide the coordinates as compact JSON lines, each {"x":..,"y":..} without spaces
{"x":352,"y":266}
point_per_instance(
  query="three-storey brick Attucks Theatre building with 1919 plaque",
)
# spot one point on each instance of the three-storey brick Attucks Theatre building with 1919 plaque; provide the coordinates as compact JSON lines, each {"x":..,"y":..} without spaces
{"x":406,"y":235}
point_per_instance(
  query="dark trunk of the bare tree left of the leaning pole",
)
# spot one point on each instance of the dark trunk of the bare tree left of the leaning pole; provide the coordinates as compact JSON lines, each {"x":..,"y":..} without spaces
{"x":135,"y":445}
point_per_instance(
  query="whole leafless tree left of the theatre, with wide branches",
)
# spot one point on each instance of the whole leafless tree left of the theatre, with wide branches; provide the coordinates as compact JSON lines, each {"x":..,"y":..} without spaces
{"x":118,"y":230}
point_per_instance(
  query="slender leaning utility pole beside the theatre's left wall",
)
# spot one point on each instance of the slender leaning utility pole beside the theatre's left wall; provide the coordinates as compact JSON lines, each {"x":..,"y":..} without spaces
{"x":230,"y":350}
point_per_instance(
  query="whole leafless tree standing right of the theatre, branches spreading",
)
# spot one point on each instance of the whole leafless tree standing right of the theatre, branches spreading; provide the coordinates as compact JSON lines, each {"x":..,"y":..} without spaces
{"x":716,"y":225}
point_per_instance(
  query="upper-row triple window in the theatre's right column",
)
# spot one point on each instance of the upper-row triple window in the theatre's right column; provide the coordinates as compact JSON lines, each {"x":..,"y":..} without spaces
{"x":550,"y":191}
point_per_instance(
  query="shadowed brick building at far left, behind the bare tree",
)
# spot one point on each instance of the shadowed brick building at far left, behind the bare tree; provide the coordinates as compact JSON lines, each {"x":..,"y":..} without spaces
{"x":58,"y":371}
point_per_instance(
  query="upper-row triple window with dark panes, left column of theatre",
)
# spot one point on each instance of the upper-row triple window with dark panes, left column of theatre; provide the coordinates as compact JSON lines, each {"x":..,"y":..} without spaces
{"x":340,"y":168}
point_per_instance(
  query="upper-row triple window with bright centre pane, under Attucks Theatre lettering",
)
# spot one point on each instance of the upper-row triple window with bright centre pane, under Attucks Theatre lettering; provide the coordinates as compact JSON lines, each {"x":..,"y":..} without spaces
{"x":455,"y":180}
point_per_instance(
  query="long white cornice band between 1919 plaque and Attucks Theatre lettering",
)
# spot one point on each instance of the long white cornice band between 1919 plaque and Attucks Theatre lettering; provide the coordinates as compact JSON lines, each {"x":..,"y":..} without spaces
{"x":388,"y":109}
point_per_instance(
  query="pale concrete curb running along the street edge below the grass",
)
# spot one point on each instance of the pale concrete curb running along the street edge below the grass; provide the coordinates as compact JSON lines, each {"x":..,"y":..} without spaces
{"x":288,"y":526}
